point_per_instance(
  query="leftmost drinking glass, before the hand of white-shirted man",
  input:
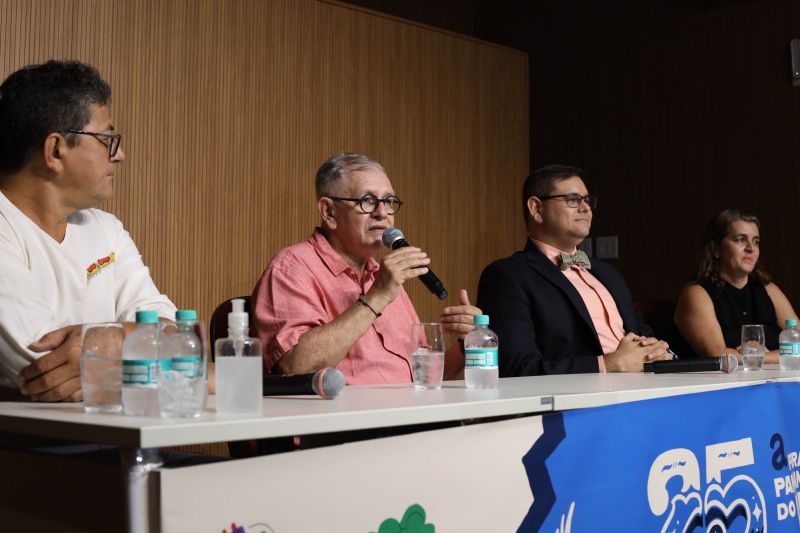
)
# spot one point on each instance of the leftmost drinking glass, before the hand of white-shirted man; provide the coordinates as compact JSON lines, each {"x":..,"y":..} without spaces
{"x":101,"y":367}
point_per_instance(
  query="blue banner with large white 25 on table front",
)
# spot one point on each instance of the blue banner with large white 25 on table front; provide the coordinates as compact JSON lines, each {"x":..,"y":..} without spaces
{"x":724,"y":461}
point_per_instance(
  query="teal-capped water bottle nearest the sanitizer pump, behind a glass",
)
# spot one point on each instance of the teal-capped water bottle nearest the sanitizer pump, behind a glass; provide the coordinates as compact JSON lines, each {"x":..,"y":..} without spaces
{"x":183,"y":388}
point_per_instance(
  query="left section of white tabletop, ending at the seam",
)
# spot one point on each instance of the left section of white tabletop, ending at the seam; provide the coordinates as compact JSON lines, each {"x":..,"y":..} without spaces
{"x":361,"y":407}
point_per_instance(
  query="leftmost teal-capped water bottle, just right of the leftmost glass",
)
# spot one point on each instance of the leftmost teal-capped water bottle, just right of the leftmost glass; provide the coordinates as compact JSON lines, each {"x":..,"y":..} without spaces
{"x":141,"y":365}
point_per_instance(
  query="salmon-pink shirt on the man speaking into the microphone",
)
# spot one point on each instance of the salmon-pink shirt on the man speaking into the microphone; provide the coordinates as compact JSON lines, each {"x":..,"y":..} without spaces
{"x":310,"y":284}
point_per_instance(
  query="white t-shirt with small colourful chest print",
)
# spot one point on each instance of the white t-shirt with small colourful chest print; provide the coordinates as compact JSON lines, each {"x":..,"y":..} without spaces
{"x":95,"y":275}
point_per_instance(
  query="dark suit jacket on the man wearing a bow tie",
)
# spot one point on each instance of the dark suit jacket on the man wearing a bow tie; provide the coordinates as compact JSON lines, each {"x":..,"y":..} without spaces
{"x":542,"y":323}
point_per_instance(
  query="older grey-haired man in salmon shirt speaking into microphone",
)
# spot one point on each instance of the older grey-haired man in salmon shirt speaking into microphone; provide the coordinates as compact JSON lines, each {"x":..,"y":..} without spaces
{"x":327,"y":302}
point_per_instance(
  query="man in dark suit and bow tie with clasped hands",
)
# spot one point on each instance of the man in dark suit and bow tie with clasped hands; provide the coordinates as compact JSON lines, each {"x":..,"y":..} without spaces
{"x":553,"y":310}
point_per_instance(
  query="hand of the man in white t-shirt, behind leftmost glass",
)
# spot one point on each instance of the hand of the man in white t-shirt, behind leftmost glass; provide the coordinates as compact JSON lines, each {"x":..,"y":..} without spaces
{"x":56,"y":376}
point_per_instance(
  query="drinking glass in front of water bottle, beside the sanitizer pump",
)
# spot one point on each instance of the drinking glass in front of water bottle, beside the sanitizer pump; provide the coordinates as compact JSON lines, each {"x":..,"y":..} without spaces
{"x":183,"y":377}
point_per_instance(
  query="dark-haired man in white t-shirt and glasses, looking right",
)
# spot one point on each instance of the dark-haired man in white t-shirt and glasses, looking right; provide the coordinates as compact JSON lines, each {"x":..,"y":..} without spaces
{"x":62,"y":262}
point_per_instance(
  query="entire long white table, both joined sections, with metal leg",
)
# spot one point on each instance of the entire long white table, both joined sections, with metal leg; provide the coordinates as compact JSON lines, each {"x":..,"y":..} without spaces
{"x":358,"y":408}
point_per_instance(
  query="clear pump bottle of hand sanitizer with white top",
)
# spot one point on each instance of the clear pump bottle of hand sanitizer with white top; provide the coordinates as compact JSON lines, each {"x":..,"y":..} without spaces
{"x":238,"y":358}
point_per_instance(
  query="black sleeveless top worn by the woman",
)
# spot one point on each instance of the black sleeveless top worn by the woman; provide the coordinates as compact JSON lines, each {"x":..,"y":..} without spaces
{"x":749,"y":305}
